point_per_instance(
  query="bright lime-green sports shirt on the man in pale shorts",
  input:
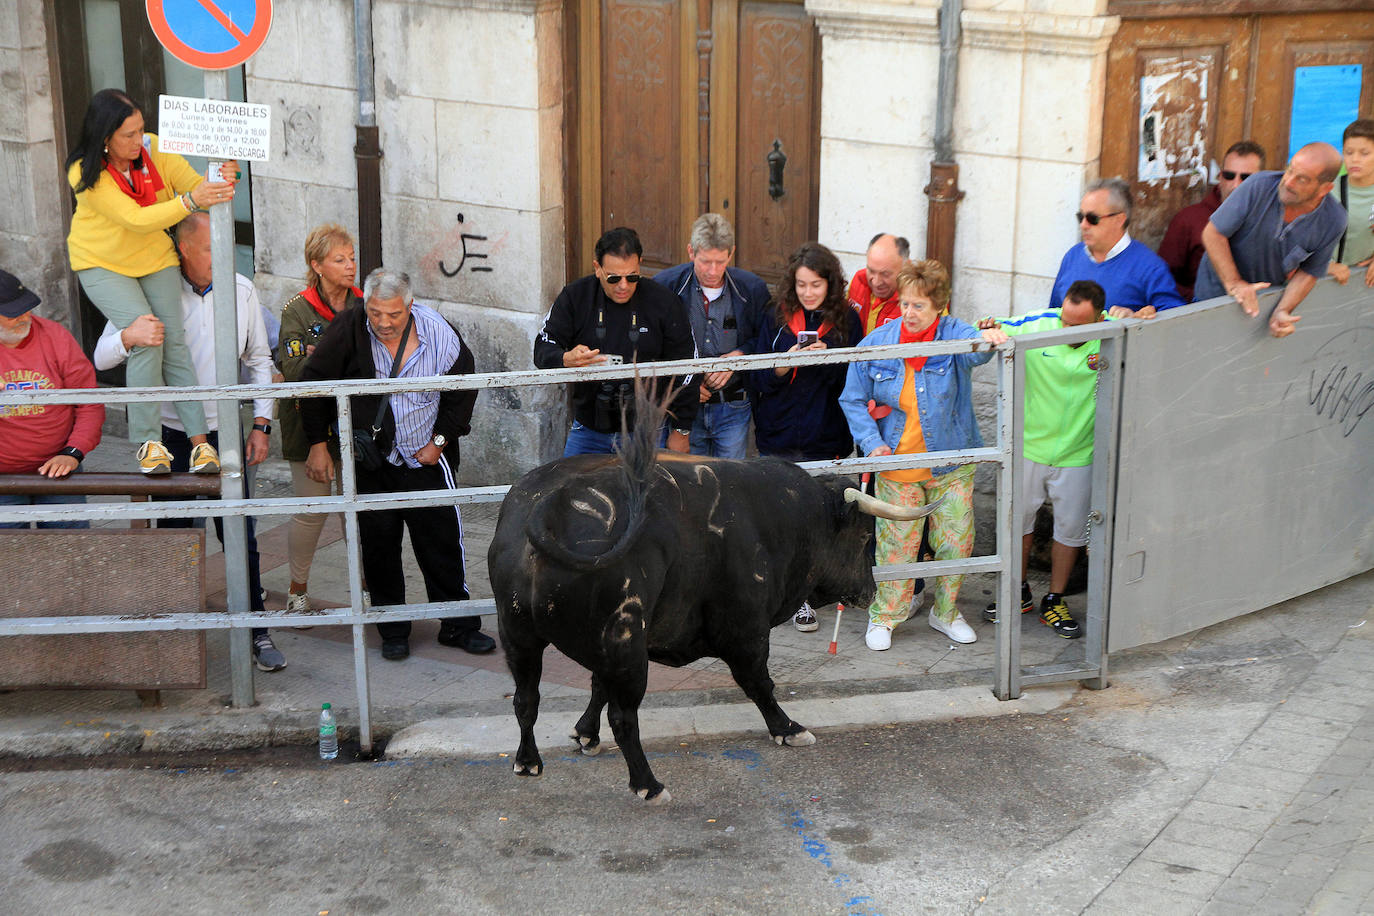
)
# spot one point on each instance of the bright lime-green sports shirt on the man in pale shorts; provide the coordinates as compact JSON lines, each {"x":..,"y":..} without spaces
{"x":1061,"y":398}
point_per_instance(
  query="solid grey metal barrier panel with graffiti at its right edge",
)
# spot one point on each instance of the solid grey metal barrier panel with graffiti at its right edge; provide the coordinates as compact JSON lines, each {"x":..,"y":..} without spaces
{"x":1244,"y":473}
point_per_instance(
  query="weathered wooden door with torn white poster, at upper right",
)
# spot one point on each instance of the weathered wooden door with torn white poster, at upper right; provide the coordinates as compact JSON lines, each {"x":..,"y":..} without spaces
{"x":1184,"y":87}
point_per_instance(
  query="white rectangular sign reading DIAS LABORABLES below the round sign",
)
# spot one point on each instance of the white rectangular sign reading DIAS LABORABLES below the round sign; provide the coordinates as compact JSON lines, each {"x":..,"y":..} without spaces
{"x":215,"y":128}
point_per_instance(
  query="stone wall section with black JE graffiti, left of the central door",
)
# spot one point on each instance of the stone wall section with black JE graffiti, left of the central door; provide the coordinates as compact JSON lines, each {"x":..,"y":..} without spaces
{"x":471,"y":116}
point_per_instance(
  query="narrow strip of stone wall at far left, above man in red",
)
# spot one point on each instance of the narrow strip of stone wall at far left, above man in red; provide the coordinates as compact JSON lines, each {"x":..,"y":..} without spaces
{"x":32,"y":186}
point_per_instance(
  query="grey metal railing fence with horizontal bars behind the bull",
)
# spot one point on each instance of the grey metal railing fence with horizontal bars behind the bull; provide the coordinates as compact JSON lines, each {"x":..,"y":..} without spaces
{"x":1011,"y":374}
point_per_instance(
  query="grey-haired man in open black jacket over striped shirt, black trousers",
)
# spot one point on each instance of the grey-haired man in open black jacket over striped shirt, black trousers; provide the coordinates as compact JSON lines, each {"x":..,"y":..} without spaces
{"x":418,"y":440}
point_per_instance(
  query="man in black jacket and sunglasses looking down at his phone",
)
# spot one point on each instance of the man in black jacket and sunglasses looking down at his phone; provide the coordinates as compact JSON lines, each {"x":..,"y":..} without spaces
{"x":616,"y":315}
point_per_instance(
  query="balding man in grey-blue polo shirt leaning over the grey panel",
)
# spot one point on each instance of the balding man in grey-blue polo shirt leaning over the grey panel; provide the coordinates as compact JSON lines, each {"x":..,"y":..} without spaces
{"x":1279,"y":227}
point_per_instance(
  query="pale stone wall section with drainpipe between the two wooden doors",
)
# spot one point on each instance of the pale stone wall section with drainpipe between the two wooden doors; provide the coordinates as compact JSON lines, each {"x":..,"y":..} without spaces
{"x":1027,"y":134}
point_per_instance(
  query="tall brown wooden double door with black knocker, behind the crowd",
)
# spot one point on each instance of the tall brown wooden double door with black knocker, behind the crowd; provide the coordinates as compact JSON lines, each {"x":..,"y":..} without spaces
{"x":679,"y":104}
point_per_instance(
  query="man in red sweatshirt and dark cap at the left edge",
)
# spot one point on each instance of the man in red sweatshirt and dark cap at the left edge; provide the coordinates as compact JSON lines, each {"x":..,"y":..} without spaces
{"x":42,"y":439}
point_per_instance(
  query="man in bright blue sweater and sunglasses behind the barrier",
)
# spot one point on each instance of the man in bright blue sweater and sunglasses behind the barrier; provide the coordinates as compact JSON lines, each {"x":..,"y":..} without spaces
{"x":1137,"y":281}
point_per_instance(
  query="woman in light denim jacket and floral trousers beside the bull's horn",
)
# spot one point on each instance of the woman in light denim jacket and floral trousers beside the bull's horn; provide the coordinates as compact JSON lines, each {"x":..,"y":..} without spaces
{"x":914,"y":406}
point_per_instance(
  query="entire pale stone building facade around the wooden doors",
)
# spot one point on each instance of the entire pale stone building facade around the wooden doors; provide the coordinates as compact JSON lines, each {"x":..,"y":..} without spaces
{"x":471,"y":101}
